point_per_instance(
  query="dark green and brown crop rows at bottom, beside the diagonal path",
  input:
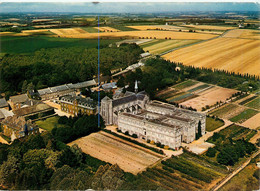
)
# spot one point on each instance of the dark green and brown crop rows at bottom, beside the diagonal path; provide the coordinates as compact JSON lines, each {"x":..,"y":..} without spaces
{"x":185,"y":172}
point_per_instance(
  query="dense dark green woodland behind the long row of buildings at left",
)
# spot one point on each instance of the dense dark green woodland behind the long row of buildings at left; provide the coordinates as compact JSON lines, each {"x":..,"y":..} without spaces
{"x":56,"y":66}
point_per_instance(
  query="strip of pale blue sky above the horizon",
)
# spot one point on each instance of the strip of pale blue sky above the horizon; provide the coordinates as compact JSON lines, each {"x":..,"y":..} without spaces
{"x":125,"y":7}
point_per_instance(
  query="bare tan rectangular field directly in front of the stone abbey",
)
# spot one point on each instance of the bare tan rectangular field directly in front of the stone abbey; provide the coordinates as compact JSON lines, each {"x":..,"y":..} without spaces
{"x":130,"y":157}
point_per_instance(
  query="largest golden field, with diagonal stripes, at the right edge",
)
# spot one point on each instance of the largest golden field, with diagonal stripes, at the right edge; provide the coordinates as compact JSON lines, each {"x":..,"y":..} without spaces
{"x":236,"y":55}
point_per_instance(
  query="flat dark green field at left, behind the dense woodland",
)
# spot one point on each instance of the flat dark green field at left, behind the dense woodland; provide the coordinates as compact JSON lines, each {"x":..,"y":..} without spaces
{"x":10,"y":44}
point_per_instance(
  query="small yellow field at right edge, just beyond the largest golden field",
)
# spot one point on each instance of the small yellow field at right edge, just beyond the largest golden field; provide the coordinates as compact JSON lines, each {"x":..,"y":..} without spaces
{"x":243,"y":33}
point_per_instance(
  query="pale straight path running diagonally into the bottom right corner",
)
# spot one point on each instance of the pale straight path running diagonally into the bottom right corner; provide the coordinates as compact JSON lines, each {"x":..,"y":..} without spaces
{"x":227,"y":178}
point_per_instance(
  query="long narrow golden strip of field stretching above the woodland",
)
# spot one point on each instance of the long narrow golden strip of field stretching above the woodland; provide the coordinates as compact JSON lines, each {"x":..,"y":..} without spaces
{"x":138,"y":34}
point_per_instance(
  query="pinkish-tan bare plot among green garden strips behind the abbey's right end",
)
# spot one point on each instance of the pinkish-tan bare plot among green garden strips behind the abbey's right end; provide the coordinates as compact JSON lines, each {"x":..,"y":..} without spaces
{"x":209,"y":97}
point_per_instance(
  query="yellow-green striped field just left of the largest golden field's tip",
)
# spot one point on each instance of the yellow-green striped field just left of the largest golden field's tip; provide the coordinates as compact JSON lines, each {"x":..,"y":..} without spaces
{"x":167,"y":45}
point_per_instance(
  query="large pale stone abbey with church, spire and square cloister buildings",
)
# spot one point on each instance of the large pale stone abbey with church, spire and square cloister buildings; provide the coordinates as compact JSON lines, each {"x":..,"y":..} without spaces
{"x":152,"y":120}
